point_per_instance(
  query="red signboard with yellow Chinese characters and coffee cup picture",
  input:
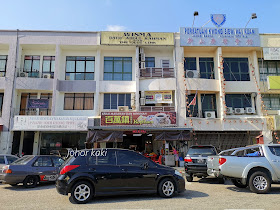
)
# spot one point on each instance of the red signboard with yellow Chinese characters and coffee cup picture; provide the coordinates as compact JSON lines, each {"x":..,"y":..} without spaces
{"x":154,"y":119}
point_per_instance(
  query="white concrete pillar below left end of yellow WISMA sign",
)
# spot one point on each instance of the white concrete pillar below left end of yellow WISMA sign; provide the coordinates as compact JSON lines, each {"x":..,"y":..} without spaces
{"x":97,"y":77}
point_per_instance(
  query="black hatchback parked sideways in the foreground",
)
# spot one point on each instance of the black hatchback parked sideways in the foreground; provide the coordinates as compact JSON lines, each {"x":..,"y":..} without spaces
{"x":100,"y":172}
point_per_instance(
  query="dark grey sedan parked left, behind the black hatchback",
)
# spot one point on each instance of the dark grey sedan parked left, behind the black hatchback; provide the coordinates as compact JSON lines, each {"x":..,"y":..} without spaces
{"x":31,"y":169}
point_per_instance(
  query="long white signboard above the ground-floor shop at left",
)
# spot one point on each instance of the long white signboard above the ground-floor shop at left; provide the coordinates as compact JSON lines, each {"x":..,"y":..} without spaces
{"x":50,"y":123}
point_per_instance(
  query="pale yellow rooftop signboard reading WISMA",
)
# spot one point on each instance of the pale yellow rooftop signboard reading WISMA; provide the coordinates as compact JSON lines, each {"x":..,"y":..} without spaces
{"x":136,"y":38}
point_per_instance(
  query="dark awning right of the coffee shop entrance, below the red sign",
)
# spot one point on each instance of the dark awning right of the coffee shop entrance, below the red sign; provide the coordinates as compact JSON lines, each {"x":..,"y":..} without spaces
{"x":173,"y":136}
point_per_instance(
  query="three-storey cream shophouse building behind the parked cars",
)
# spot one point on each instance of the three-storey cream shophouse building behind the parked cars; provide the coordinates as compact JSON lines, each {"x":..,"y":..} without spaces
{"x":62,"y":90}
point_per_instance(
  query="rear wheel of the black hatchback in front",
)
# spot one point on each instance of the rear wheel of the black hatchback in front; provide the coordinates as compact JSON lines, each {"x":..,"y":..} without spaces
{"x":81,"y":192}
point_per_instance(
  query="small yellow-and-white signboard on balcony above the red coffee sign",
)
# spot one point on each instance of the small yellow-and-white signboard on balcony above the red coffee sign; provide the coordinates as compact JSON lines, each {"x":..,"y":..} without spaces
{"x":153,"y":97}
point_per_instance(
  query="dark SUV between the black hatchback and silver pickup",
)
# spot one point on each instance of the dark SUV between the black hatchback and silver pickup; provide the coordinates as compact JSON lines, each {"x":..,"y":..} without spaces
{"x":195,"y":161}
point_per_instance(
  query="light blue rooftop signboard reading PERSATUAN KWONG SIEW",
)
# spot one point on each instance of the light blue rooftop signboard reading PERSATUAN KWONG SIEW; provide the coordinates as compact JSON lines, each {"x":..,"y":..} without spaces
{"x":227,"y":37}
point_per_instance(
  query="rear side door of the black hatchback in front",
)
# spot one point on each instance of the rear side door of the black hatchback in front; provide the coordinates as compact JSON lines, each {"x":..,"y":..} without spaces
{"x":105,"y":171}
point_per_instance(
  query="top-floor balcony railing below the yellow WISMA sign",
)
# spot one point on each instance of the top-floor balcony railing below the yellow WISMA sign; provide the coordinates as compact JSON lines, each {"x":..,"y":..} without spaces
{"x":157,"y":72}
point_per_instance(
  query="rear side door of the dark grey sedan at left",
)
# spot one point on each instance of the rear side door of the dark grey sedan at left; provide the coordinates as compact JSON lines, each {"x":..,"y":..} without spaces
{"x":43,"y":166}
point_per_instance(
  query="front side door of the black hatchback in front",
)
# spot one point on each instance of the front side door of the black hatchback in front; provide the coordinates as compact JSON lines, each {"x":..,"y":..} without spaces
{"x":138,"y":172}
